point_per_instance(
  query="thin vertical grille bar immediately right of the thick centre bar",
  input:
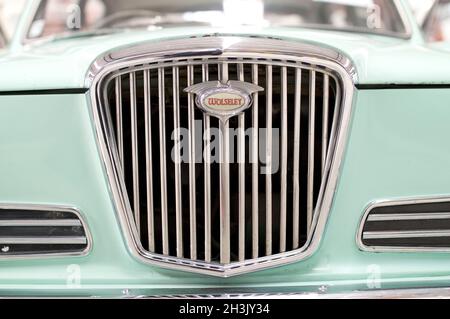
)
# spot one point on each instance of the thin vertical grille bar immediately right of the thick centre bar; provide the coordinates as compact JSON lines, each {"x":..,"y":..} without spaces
{"x":241,"y":161}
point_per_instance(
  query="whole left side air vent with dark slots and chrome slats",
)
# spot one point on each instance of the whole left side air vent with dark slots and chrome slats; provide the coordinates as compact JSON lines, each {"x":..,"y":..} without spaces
{"x":36,"y":231}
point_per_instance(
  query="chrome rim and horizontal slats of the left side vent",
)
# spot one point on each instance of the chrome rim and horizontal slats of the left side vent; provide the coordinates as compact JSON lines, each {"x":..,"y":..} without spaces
{"x":70,"y":245}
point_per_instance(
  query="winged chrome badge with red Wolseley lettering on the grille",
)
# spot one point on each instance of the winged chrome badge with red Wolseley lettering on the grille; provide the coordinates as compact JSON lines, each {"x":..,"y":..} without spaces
{"x":224,"y":100}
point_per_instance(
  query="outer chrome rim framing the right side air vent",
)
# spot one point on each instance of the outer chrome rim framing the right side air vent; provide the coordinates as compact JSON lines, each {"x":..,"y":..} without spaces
{"x":398,"y":202}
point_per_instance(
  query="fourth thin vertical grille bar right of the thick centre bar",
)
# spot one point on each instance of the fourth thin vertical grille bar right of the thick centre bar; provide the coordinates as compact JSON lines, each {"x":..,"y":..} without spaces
{"x":284,"y":154}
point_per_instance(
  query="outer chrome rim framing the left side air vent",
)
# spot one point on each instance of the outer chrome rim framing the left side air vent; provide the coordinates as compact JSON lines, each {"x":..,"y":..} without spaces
{"x":45,"y":208}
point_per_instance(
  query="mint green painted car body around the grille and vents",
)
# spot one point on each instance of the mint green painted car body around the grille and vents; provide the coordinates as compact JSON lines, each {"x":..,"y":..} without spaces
{"x":397,"y":149}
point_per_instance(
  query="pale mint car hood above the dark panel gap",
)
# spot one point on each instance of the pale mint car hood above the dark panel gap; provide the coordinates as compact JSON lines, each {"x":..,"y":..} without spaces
{"x":64,"y":63}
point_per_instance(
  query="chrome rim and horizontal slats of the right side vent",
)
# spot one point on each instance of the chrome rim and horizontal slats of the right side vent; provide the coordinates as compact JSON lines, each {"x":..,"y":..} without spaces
{"x":405,"y":234}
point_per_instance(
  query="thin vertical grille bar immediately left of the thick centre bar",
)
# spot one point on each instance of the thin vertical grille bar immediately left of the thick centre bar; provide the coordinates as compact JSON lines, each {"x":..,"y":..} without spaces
{"x":207,"y":172}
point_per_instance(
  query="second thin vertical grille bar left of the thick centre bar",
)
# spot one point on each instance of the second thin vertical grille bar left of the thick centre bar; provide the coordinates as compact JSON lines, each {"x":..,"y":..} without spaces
{"x":192,"y":191}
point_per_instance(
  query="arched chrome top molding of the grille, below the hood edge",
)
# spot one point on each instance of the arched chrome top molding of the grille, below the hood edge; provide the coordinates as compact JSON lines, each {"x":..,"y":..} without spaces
{"x":216,"y":46}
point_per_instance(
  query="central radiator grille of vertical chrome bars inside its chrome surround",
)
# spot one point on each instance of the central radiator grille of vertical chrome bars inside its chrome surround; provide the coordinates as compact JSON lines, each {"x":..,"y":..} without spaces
{"x":215,"y":212}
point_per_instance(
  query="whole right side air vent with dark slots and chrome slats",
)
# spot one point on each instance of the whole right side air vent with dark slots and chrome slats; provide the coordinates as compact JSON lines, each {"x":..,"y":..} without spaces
{"x":410,"y":225}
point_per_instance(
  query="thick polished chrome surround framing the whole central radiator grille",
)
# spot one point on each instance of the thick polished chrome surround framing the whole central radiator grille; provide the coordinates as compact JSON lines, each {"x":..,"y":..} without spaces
{"x":307,"y":57}
